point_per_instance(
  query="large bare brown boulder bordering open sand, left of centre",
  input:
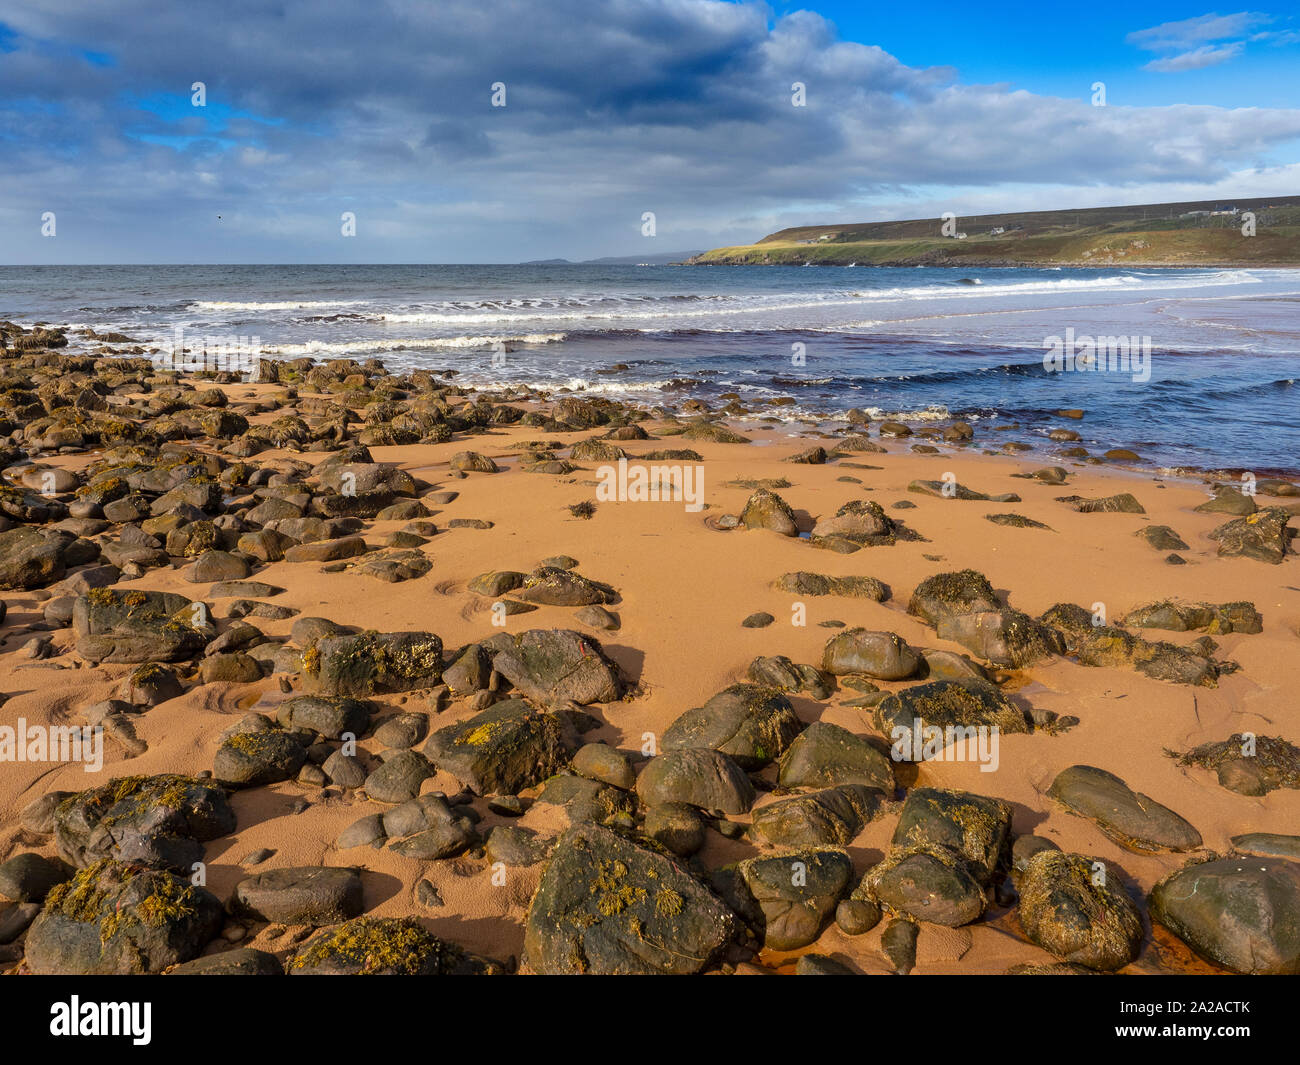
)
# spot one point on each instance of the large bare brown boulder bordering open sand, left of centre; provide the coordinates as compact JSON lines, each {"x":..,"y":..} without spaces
{"x":556,"y":666}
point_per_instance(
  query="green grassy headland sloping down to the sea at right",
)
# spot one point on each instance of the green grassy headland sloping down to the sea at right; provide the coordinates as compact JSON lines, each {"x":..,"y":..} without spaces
{"x":1180,"y":235}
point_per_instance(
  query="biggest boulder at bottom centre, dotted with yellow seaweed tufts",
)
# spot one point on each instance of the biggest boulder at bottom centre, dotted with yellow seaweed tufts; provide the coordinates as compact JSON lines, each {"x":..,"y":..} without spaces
{"x":606,"y":906}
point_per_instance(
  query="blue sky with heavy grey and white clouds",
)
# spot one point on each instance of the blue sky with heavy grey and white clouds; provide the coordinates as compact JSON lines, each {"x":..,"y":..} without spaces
{"x":500,"y":131}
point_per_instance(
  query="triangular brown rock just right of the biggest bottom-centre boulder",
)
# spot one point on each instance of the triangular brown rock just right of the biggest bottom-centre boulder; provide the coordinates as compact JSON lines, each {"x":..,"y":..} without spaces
{"x":790,"y":898}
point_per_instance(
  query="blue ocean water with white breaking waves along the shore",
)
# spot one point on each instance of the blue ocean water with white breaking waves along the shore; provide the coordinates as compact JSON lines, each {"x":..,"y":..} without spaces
{"x":917,"y":344}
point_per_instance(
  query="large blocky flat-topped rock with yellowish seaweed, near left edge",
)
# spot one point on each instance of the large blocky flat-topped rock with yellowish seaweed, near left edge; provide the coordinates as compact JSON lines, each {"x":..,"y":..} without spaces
{"x":114,"y":626}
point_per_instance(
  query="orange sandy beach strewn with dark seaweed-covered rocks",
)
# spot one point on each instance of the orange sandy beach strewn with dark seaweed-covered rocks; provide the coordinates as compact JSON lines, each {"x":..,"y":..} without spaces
{"x":681,"y":587}
